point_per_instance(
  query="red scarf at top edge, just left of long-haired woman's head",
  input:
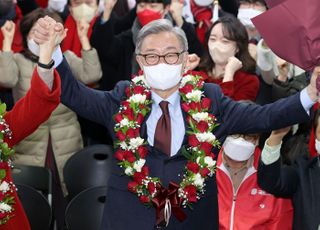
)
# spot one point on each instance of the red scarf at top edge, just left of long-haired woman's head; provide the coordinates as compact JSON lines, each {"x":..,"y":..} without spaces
{"x":203,"y":16}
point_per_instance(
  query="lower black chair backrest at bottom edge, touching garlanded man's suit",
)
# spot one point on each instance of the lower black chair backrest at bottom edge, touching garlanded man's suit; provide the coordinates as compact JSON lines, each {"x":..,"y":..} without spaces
{"x":85,"y":210}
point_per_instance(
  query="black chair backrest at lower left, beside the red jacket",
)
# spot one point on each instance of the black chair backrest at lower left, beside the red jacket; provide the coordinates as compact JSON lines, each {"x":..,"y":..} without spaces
{"x":39,"y":178}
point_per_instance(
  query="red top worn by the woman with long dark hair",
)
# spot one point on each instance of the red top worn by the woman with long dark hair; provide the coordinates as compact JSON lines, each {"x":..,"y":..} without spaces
{"x":245,"y":86}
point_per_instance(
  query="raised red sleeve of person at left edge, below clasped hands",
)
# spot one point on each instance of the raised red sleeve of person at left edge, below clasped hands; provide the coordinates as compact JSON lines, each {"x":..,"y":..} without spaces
{"x":33,"y":109}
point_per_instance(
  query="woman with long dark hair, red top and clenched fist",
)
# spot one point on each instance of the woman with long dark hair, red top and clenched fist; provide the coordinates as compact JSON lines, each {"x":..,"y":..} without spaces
{"x":227,"y":61}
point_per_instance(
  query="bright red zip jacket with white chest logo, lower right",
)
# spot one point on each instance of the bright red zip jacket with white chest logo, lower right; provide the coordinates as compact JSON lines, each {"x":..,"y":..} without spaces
{"x":250,"y":207}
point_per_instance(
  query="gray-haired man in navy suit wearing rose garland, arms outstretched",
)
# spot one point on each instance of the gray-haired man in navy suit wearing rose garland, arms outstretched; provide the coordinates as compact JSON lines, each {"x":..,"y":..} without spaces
{"x":161,"y":143}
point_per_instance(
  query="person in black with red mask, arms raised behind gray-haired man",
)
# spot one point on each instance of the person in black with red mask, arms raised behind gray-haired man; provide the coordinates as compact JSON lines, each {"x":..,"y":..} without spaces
{"x":116,"y":52}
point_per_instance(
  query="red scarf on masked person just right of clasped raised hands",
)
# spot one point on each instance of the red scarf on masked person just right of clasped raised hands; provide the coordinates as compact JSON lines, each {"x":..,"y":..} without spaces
{"x":72,"y":41}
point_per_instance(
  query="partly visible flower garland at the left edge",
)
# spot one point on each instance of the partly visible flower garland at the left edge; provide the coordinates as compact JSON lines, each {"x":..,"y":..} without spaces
{"x":7,"y":188}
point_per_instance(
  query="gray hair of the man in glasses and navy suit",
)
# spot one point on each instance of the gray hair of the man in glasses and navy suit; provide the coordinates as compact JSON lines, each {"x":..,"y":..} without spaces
{"x":159,"y":26}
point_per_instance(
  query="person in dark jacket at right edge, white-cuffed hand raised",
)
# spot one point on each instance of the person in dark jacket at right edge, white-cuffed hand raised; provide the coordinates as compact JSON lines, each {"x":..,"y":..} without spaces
{"x":299,"y":181}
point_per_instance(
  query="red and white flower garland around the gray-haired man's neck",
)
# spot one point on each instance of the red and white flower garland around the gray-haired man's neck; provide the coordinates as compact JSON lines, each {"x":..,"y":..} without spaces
{"x":132,"y":149}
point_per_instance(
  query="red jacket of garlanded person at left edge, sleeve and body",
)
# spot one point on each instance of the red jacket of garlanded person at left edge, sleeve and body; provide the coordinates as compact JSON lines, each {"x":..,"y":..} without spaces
{"x":28,"y":113}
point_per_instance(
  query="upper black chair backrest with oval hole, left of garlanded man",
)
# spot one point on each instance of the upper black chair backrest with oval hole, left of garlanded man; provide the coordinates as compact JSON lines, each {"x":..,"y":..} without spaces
{"x":87,"y":168}
